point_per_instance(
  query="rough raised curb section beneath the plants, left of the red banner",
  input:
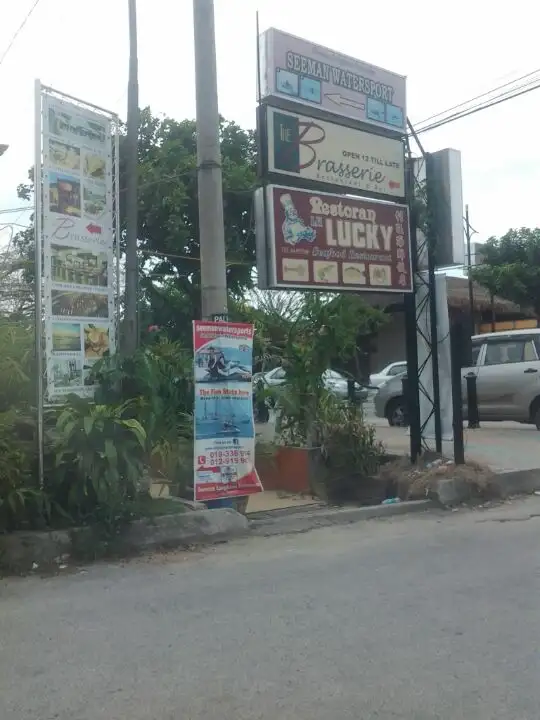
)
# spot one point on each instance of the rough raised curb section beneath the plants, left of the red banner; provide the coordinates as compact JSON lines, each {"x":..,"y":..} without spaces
{"x":21,"y":552}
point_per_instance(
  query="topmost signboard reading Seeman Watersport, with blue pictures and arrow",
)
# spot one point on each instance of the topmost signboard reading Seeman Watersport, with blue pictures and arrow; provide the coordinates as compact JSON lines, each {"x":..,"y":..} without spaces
{"x":316,"y":76}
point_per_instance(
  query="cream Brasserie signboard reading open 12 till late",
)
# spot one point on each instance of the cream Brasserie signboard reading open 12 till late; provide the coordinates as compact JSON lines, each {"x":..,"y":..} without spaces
{"x":311,"y":149}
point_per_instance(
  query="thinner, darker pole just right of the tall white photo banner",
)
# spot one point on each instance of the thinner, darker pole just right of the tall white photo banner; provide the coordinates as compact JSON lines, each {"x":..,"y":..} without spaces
{"x":132,"y":138}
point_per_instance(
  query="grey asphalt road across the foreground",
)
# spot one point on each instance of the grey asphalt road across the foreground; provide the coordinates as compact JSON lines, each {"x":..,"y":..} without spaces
{"x":420,"y":617}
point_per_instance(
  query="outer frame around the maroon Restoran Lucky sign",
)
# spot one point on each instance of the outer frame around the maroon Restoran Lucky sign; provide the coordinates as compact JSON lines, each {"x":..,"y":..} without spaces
{"x":267,"y":256}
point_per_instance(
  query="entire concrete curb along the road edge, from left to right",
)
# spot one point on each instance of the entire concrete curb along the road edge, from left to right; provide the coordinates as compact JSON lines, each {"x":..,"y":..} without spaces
{"x":22,"y":552}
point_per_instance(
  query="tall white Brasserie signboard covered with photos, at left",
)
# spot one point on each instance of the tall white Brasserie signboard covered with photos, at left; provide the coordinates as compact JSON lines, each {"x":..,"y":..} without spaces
{"x":77,"y":238}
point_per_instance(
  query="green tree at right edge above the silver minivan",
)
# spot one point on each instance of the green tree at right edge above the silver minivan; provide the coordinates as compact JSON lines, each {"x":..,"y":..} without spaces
{"x":511,"y":267}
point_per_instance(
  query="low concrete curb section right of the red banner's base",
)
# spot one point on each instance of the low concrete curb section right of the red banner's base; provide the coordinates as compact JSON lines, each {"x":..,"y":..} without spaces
{"x":304,"y":521}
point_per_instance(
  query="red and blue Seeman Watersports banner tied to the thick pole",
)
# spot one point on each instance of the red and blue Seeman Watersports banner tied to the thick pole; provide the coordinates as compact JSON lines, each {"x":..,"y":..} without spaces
{"x":224,"y":448}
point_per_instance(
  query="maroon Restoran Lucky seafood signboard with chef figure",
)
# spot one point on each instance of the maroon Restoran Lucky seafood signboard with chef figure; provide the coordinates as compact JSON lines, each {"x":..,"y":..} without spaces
{"x":333,"y":242}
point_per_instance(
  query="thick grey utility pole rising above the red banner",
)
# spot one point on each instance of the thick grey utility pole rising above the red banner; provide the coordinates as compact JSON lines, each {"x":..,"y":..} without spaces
{"x":210,"y":191}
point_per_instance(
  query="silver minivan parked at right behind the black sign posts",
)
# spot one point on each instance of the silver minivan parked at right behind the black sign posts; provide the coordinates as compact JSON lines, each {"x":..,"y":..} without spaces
{"x":507,"y":370}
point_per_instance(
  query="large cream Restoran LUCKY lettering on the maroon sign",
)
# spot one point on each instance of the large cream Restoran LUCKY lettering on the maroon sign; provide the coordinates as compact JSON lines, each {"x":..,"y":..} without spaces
{"x":350,"y":226}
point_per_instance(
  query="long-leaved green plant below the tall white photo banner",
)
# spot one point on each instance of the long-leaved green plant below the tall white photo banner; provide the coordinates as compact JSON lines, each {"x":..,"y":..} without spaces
{"x":99,"y":451}
